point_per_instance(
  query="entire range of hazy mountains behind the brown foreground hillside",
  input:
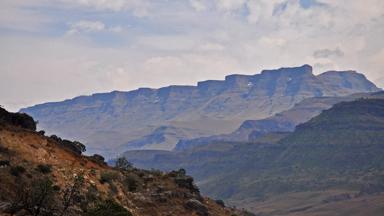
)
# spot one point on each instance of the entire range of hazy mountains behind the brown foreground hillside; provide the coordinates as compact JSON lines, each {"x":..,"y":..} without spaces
{"x":281,"y":142}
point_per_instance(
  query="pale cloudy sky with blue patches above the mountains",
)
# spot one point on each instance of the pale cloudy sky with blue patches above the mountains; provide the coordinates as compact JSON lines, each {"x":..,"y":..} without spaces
{"x":52,"y":50}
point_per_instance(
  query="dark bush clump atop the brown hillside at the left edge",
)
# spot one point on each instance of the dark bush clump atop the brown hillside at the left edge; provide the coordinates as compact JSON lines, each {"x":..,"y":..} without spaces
{"x":17,"y":119}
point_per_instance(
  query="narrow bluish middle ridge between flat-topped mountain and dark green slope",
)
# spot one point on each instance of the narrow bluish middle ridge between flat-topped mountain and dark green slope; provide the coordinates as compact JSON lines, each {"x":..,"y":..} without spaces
{"x":285,"y":121}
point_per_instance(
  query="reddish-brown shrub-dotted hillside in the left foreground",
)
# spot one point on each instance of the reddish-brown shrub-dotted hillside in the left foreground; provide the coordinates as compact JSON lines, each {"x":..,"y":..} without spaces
{"x":39,"y":176}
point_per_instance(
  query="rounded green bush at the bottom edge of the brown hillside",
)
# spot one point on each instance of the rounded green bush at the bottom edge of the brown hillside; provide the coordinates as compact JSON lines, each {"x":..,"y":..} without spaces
{"x":108,"y":208}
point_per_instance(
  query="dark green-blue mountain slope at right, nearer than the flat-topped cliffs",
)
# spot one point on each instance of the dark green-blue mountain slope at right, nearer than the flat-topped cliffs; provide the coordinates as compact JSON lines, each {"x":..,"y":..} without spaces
{"x":327,"y":163}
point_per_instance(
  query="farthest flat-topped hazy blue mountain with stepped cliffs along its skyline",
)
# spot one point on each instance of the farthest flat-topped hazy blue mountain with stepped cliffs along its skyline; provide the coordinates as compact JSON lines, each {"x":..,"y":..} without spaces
{"x":113,"y":122}
